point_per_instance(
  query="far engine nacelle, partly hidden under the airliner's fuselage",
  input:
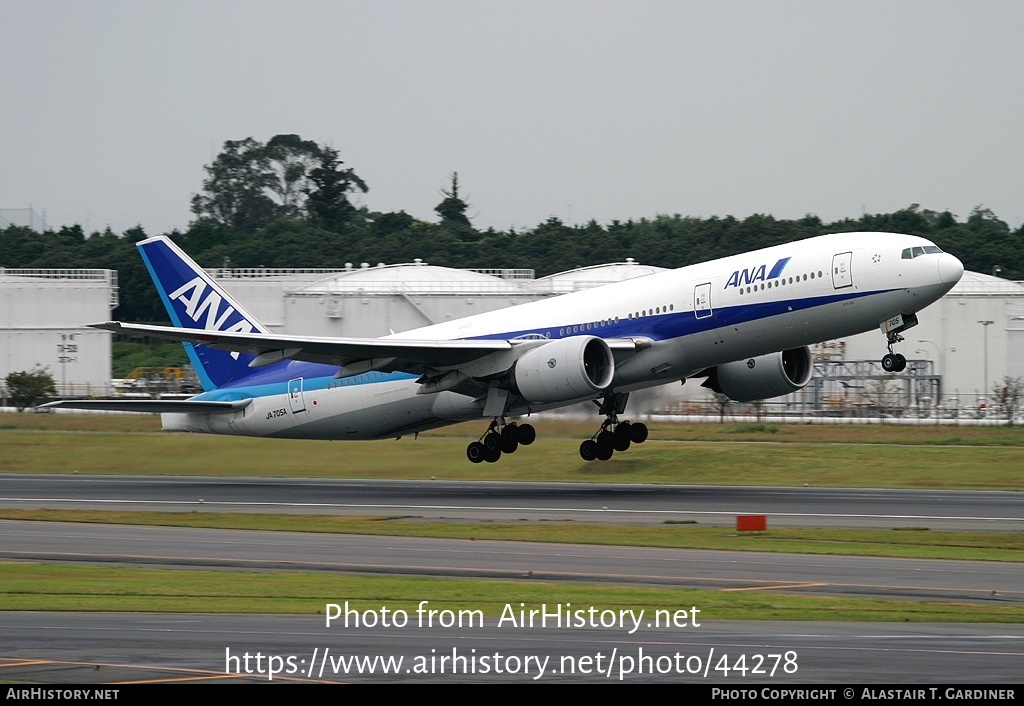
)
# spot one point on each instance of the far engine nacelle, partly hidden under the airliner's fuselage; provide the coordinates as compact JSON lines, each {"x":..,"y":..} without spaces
{"x":766,"y":377}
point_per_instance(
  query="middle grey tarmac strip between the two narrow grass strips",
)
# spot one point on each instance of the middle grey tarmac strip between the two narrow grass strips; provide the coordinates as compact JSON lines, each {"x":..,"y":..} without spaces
{"x":750,"y":571}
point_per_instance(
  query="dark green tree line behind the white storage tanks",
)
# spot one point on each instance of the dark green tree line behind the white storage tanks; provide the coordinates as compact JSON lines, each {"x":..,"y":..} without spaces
{"x":289,"y":203}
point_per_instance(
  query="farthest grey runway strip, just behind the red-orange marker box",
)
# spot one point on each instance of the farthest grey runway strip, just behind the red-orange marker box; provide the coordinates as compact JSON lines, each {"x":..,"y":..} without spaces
{"x":878,"y":509}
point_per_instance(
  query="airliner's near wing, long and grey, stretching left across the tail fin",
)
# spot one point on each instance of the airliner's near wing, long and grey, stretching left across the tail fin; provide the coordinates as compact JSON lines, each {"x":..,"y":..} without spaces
{"x":354,"y":355}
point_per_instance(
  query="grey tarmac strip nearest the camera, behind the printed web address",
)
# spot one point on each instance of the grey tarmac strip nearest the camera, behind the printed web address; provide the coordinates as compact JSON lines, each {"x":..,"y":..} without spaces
{"x":124,"y":649}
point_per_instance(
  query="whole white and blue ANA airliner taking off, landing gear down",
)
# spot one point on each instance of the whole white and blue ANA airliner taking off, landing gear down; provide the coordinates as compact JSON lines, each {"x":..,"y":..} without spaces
{"x":743,"y":322}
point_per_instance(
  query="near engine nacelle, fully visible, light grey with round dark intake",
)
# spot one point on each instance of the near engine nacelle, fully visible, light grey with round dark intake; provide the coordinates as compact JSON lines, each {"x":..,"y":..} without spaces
{"x":565,"y":369}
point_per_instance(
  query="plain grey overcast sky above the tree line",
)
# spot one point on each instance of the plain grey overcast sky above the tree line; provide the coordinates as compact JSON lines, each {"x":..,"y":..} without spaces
{"x":109,"y":111}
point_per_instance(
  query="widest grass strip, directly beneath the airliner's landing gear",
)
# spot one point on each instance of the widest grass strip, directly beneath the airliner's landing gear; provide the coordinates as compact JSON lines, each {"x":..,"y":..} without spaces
{"x":978,"y":459}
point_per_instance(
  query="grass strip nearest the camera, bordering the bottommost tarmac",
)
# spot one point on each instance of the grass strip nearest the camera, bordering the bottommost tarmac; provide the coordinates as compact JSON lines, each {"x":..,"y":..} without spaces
{"x":41,"y":588}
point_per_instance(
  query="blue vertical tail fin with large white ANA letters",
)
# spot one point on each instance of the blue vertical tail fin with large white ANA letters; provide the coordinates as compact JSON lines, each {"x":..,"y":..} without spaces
{"x":194,"y":301}
